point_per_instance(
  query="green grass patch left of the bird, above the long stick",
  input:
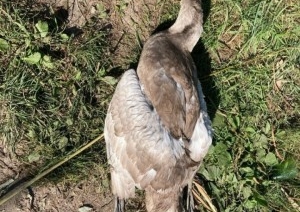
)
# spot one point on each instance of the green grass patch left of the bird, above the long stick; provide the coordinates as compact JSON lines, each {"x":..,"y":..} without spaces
{"x":54,"y":90}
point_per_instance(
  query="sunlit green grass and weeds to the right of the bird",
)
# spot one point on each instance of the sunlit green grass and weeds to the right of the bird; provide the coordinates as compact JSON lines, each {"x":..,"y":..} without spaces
{"x":255,"y":51}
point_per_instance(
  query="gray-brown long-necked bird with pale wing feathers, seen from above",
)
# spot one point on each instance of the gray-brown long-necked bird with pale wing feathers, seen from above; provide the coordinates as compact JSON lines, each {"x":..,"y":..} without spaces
{"x":157,"y":130}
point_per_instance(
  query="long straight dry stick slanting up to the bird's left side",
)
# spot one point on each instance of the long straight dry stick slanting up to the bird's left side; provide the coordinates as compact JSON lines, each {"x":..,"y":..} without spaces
{"x":18,"y":189}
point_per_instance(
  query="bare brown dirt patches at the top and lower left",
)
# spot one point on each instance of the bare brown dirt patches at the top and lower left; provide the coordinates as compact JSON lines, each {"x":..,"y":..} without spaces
{"x":86,"y":195}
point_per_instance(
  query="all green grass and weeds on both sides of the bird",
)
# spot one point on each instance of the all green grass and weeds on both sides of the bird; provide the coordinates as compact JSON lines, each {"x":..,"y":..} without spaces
{"x":55,"y":87}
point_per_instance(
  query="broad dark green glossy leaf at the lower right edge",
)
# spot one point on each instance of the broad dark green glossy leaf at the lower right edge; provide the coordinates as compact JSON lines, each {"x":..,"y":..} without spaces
{"x":286,"y":170}
